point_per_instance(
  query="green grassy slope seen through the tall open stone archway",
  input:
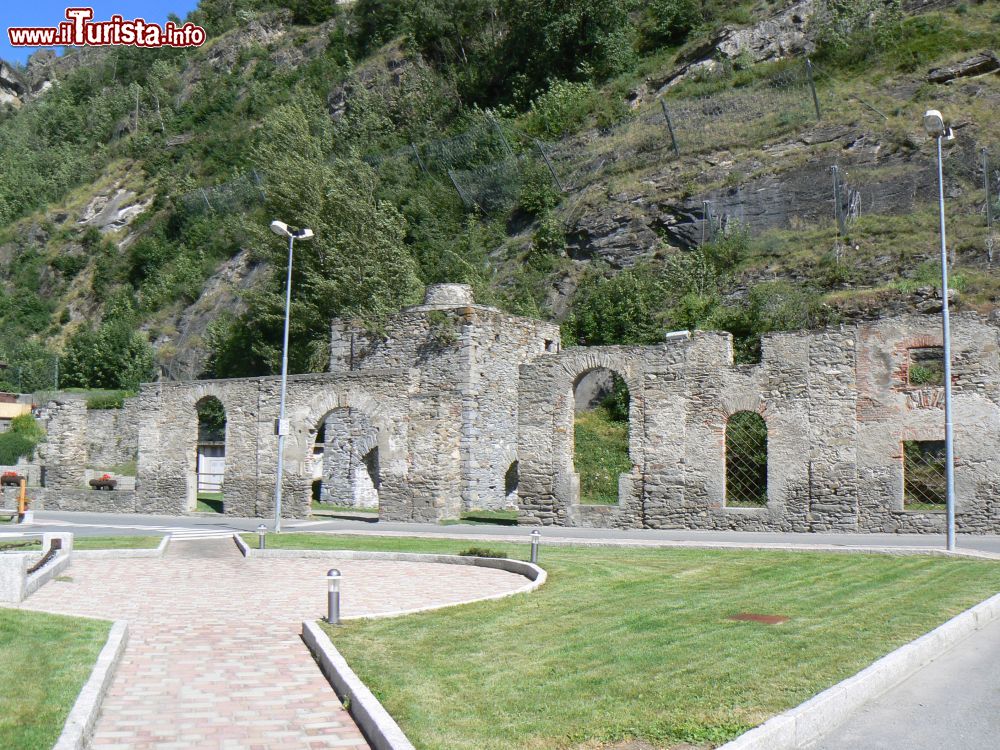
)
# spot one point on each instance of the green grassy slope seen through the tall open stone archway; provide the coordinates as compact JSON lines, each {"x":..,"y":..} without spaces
{"x":600,"y":454}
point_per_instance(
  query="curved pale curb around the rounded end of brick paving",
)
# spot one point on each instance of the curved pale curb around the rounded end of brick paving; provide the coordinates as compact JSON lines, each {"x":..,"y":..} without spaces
{"x":536,"y":576}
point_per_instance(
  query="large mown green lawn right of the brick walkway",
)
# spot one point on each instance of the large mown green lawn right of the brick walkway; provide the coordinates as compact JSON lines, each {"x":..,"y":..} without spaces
{"x":633,"y":643}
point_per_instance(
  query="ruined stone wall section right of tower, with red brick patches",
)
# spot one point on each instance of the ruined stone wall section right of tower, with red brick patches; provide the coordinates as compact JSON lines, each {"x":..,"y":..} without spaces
{"x":837,"y":406}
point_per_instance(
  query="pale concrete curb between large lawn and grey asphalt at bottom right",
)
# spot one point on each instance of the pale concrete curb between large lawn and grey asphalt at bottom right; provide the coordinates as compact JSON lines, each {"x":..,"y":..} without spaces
{"x":811,"y":720}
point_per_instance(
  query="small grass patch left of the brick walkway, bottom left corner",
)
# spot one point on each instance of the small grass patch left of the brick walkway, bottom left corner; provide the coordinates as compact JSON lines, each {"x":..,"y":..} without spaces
{"x":44,"y":662}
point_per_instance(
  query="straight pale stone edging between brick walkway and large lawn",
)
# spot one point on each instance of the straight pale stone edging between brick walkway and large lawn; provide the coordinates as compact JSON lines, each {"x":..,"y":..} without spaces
{"x":378,"y":727}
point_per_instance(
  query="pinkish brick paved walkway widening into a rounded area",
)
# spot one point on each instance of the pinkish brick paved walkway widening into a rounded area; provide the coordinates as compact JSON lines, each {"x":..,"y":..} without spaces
{"x":214,"y":658}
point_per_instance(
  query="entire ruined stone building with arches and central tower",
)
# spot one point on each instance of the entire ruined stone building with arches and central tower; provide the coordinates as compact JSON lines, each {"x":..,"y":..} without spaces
{"x":450,"y":398}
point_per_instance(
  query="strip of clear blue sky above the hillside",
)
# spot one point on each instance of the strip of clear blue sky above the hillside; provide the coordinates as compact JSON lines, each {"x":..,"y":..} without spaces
{"x":48,"y":13}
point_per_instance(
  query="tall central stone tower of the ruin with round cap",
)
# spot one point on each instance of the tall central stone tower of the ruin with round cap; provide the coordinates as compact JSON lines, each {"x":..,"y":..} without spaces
{"x":468,"y":356}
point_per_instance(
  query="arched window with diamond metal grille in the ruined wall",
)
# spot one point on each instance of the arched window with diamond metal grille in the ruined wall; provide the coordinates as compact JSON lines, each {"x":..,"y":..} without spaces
{"x":746,"y":460}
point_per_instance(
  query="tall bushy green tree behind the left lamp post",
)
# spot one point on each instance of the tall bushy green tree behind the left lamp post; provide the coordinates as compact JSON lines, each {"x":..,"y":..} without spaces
{"x":357,"y":265}
